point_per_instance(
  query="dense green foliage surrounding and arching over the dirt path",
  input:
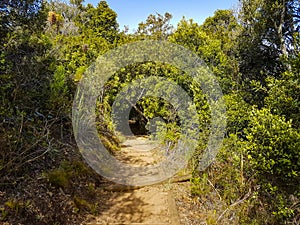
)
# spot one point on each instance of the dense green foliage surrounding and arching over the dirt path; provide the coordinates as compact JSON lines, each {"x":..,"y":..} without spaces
{"x":254,"y":52}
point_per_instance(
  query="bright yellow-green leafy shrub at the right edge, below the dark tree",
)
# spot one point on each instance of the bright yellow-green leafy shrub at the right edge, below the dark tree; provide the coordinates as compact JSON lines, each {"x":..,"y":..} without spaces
{"x":273,"y":146}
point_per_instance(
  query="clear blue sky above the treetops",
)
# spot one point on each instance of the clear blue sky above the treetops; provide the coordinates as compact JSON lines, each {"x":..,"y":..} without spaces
{"x":132,"y":12}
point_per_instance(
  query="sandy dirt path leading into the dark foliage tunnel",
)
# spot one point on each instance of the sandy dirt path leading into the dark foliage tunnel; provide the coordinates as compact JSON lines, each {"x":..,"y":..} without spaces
{"x":148,"y":205}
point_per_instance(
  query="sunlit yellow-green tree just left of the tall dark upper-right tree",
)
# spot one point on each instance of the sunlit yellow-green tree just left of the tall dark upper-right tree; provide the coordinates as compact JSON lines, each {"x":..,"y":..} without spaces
{"x":215,"y":49}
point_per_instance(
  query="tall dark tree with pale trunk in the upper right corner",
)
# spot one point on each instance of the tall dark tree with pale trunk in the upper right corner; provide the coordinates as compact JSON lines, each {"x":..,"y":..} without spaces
{"x":268,"y":34}
